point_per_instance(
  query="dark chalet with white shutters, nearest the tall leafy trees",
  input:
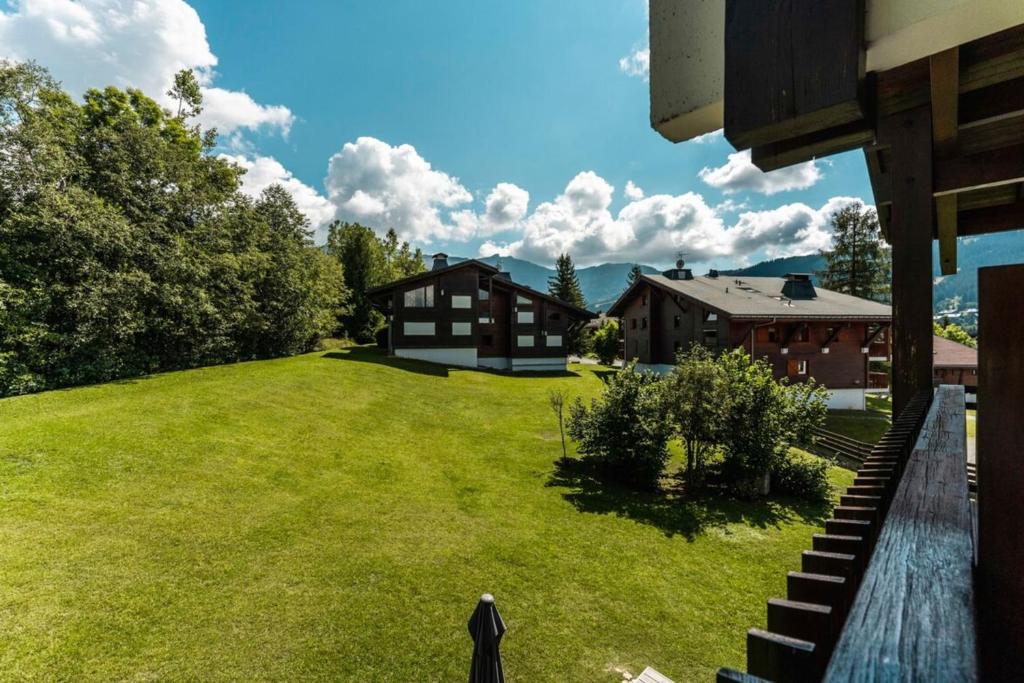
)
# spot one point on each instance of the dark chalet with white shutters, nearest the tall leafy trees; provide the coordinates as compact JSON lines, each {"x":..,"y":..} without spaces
{"x":475,"y":316}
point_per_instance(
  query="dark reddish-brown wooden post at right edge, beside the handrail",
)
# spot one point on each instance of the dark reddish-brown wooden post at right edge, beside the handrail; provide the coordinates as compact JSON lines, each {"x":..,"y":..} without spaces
{"x":1001,"y":472}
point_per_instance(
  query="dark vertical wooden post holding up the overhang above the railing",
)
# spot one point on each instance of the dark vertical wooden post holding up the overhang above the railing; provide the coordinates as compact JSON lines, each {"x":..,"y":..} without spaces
{"x":909,"y":135}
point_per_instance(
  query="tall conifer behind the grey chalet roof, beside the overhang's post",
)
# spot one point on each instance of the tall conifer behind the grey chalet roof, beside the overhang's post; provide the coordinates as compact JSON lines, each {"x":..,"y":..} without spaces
{"x":859,"y":264}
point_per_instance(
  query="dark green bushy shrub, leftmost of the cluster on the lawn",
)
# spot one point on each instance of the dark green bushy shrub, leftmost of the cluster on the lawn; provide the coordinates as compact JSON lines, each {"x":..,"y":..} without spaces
{"x":624,"y":431}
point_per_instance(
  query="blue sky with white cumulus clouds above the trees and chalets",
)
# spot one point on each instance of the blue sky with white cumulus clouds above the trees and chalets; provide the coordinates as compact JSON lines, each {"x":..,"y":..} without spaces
{"x":470,"y":126}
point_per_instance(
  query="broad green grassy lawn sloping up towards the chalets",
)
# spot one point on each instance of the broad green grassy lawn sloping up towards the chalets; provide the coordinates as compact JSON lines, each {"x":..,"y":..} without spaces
{"x":335,"y":517}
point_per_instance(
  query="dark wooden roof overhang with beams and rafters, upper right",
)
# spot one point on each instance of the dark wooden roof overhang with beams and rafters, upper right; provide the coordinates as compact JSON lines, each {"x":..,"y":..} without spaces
{"x":796,"y":89}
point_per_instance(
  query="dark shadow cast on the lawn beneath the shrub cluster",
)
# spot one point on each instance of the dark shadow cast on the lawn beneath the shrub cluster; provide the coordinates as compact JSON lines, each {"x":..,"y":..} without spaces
{"x":671,"y":510}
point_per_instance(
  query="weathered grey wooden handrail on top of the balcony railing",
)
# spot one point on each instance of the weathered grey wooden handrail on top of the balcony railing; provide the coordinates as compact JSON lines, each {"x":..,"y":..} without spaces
{"x":914,"y":616}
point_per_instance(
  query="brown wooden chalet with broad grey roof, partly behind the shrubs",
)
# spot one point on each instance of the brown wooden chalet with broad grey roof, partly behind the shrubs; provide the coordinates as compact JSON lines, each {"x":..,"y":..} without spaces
{"x":801,"y":330}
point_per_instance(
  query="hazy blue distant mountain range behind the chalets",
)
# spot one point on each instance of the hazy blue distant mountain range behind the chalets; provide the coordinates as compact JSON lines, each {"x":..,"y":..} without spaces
{"x":604,"y":284}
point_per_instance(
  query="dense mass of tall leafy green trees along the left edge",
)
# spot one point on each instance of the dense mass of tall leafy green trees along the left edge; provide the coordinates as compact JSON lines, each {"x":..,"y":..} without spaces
{"x":126,"y":247}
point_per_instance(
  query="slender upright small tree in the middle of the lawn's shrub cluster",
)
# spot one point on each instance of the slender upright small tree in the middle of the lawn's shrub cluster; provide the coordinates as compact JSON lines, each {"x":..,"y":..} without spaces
{"x":697,"y":404}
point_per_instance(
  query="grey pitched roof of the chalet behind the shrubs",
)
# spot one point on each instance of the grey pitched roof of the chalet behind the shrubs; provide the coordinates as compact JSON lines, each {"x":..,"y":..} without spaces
{"x":761,"y":298}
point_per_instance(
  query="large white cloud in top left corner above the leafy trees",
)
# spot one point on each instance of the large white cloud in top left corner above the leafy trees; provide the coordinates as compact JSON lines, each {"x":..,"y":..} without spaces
{"x":137,"y":44}
